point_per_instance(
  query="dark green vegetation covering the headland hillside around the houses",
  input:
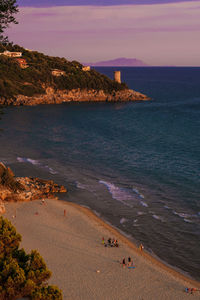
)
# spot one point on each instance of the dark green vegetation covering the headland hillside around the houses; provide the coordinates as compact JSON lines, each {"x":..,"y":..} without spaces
{"x":37,"y":77}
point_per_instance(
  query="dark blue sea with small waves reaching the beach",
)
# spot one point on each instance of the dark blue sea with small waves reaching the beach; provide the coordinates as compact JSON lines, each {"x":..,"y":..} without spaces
{"x":135,"y":164}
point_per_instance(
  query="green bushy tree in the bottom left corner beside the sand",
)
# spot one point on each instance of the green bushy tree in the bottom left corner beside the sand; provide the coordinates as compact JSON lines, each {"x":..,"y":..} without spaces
{"x":22,"y":274}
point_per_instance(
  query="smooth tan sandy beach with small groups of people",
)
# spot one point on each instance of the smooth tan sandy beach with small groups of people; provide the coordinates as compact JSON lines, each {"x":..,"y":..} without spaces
{"x":82,"y":267}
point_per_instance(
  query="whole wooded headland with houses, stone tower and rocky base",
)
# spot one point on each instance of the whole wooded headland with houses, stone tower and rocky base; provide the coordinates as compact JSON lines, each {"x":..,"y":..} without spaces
{"x":36,"y":78}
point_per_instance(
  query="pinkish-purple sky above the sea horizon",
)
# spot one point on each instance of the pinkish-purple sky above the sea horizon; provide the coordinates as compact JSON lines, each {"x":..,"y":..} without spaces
{"x":159,"y":32}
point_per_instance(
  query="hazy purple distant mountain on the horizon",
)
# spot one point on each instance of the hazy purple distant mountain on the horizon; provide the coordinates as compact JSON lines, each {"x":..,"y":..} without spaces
{"x":119,"y":62}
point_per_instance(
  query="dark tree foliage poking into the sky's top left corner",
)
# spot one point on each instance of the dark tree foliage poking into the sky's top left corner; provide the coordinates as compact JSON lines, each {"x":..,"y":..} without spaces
{"x":7,"y":9}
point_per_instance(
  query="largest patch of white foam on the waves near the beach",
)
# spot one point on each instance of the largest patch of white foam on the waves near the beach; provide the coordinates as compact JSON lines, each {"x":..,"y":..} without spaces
{"x":117,"y":193}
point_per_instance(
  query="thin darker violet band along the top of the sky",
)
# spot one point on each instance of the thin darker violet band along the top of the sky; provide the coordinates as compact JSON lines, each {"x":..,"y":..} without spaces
{"x":52,"y":3}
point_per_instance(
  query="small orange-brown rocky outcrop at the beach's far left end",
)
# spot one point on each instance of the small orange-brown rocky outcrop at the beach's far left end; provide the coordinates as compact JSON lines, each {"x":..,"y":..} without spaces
{"x":24,"y":188}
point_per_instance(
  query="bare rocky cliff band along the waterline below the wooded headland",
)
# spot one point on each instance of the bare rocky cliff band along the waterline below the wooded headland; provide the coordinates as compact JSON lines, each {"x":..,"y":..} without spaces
{"x":59,"y":96}
